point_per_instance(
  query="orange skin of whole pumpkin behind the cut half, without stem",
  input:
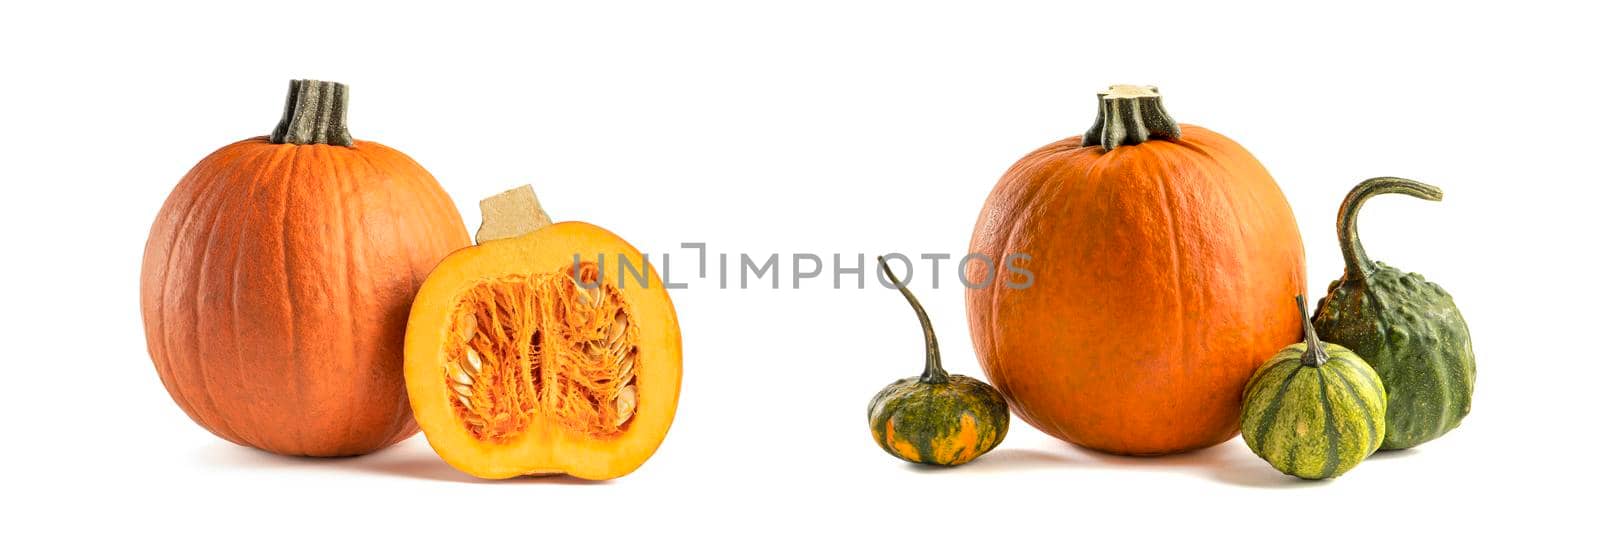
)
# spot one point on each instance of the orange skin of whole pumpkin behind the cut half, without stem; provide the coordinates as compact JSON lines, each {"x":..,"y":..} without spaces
{"x":276,"y":289}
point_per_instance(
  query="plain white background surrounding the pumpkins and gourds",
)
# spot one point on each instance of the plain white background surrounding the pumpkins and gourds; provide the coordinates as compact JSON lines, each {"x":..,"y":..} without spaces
{"x":817,"y":129}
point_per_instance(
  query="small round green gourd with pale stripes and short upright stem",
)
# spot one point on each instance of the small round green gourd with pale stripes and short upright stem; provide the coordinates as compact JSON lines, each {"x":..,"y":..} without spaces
{"x":1314,"y":411}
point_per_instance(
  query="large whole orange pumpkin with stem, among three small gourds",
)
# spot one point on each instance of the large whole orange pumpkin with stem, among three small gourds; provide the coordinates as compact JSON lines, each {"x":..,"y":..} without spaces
{"x":1162,"y":257}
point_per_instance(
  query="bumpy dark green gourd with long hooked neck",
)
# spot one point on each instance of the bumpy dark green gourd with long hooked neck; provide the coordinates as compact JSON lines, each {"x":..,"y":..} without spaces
{"x":1404,"y":326}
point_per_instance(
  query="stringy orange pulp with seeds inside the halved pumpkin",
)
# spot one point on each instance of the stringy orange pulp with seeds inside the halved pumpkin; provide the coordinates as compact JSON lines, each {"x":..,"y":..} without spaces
{"x":542,"y":345}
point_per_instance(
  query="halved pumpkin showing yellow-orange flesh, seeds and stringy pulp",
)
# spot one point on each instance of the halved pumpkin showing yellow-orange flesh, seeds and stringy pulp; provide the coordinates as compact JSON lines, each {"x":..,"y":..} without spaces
{"x":524,"y":361}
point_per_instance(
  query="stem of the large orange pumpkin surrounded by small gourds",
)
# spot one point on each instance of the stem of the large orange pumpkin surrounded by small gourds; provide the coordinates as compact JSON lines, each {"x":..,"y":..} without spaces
{"x":1130,"y":114}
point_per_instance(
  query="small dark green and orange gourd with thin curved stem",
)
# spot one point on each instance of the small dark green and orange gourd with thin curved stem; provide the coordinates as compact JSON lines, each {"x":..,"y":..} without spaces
{"x":937,"y":419}
